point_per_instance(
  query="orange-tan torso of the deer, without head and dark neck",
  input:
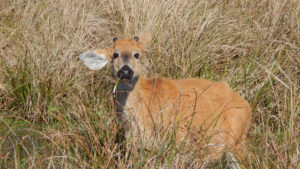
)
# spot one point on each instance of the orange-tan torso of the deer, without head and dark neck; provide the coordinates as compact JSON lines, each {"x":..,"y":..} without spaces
{"x":201,"y":108}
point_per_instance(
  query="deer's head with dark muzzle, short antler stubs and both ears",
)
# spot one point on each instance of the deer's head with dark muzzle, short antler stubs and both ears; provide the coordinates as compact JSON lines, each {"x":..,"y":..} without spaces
{"x":125,"y":56}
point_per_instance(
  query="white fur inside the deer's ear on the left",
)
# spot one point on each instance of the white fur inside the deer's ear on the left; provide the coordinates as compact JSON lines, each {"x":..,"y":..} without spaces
{"x":93,"y":60}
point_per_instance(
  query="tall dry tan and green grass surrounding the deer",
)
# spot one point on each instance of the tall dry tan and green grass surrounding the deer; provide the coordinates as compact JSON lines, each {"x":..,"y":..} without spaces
{"x":56,"y":113}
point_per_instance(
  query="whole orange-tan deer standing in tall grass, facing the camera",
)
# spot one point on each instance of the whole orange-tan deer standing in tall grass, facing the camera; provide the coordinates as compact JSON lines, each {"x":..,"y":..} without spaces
{"x":200,"y":111}
